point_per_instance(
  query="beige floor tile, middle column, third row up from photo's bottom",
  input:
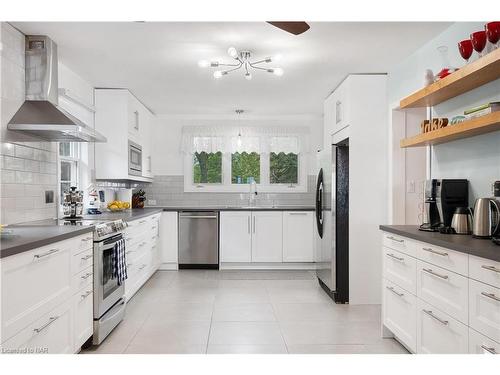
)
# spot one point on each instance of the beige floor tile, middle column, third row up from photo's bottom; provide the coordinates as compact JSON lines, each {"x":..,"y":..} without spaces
{"x":243,"y":312}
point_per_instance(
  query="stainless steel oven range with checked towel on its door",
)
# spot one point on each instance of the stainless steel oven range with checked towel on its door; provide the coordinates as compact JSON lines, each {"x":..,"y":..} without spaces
{"x":109,"y":297}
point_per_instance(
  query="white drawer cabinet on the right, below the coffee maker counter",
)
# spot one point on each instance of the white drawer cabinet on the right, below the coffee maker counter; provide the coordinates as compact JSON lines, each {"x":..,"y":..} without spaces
{"x":456,"y":296}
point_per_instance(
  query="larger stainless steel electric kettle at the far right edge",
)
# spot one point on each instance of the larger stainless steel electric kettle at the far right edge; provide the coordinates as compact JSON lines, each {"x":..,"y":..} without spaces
{"x":486,"y":218}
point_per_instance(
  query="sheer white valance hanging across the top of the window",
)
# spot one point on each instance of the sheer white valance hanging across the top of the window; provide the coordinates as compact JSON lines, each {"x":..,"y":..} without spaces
{"x":253,"y":139}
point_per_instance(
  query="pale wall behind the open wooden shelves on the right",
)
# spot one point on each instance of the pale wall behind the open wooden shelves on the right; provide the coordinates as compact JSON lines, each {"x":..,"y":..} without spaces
{"x":476,"y":158}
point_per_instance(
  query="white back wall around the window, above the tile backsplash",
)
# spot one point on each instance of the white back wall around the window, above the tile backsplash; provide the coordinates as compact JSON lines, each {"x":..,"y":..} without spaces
{"x":167,"y":133}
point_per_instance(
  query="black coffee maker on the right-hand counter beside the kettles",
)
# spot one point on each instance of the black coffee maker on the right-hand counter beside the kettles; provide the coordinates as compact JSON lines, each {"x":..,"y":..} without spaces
{"x":442,"y":197}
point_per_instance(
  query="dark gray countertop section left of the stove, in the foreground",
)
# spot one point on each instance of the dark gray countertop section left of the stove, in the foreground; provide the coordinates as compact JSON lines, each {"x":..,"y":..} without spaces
{"x":25,"y":237}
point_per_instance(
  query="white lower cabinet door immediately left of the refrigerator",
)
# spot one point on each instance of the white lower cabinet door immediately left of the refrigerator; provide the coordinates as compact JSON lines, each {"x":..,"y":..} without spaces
{"x":298,"y":236}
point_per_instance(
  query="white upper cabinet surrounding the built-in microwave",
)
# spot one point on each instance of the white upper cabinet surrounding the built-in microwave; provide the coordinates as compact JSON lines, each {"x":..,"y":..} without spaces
{"x":121,"y":118}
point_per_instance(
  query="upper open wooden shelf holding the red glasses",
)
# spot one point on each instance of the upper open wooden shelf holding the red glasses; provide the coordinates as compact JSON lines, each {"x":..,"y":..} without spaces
{"x":471,"y":76}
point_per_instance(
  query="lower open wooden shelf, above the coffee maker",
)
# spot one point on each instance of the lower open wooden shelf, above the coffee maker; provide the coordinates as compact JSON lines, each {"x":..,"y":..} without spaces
{"x":480,"y":125}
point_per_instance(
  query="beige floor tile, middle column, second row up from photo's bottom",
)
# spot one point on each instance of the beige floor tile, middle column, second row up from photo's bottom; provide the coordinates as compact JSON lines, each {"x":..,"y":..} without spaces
{"x":245,"y":333}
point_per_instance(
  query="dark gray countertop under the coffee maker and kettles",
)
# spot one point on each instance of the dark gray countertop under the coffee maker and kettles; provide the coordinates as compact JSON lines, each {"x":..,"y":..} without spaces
{"x":483,"y":248}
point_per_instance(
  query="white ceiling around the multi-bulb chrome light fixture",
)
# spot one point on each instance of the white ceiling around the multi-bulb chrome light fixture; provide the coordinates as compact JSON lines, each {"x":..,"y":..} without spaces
{"x":158,"y":61}
